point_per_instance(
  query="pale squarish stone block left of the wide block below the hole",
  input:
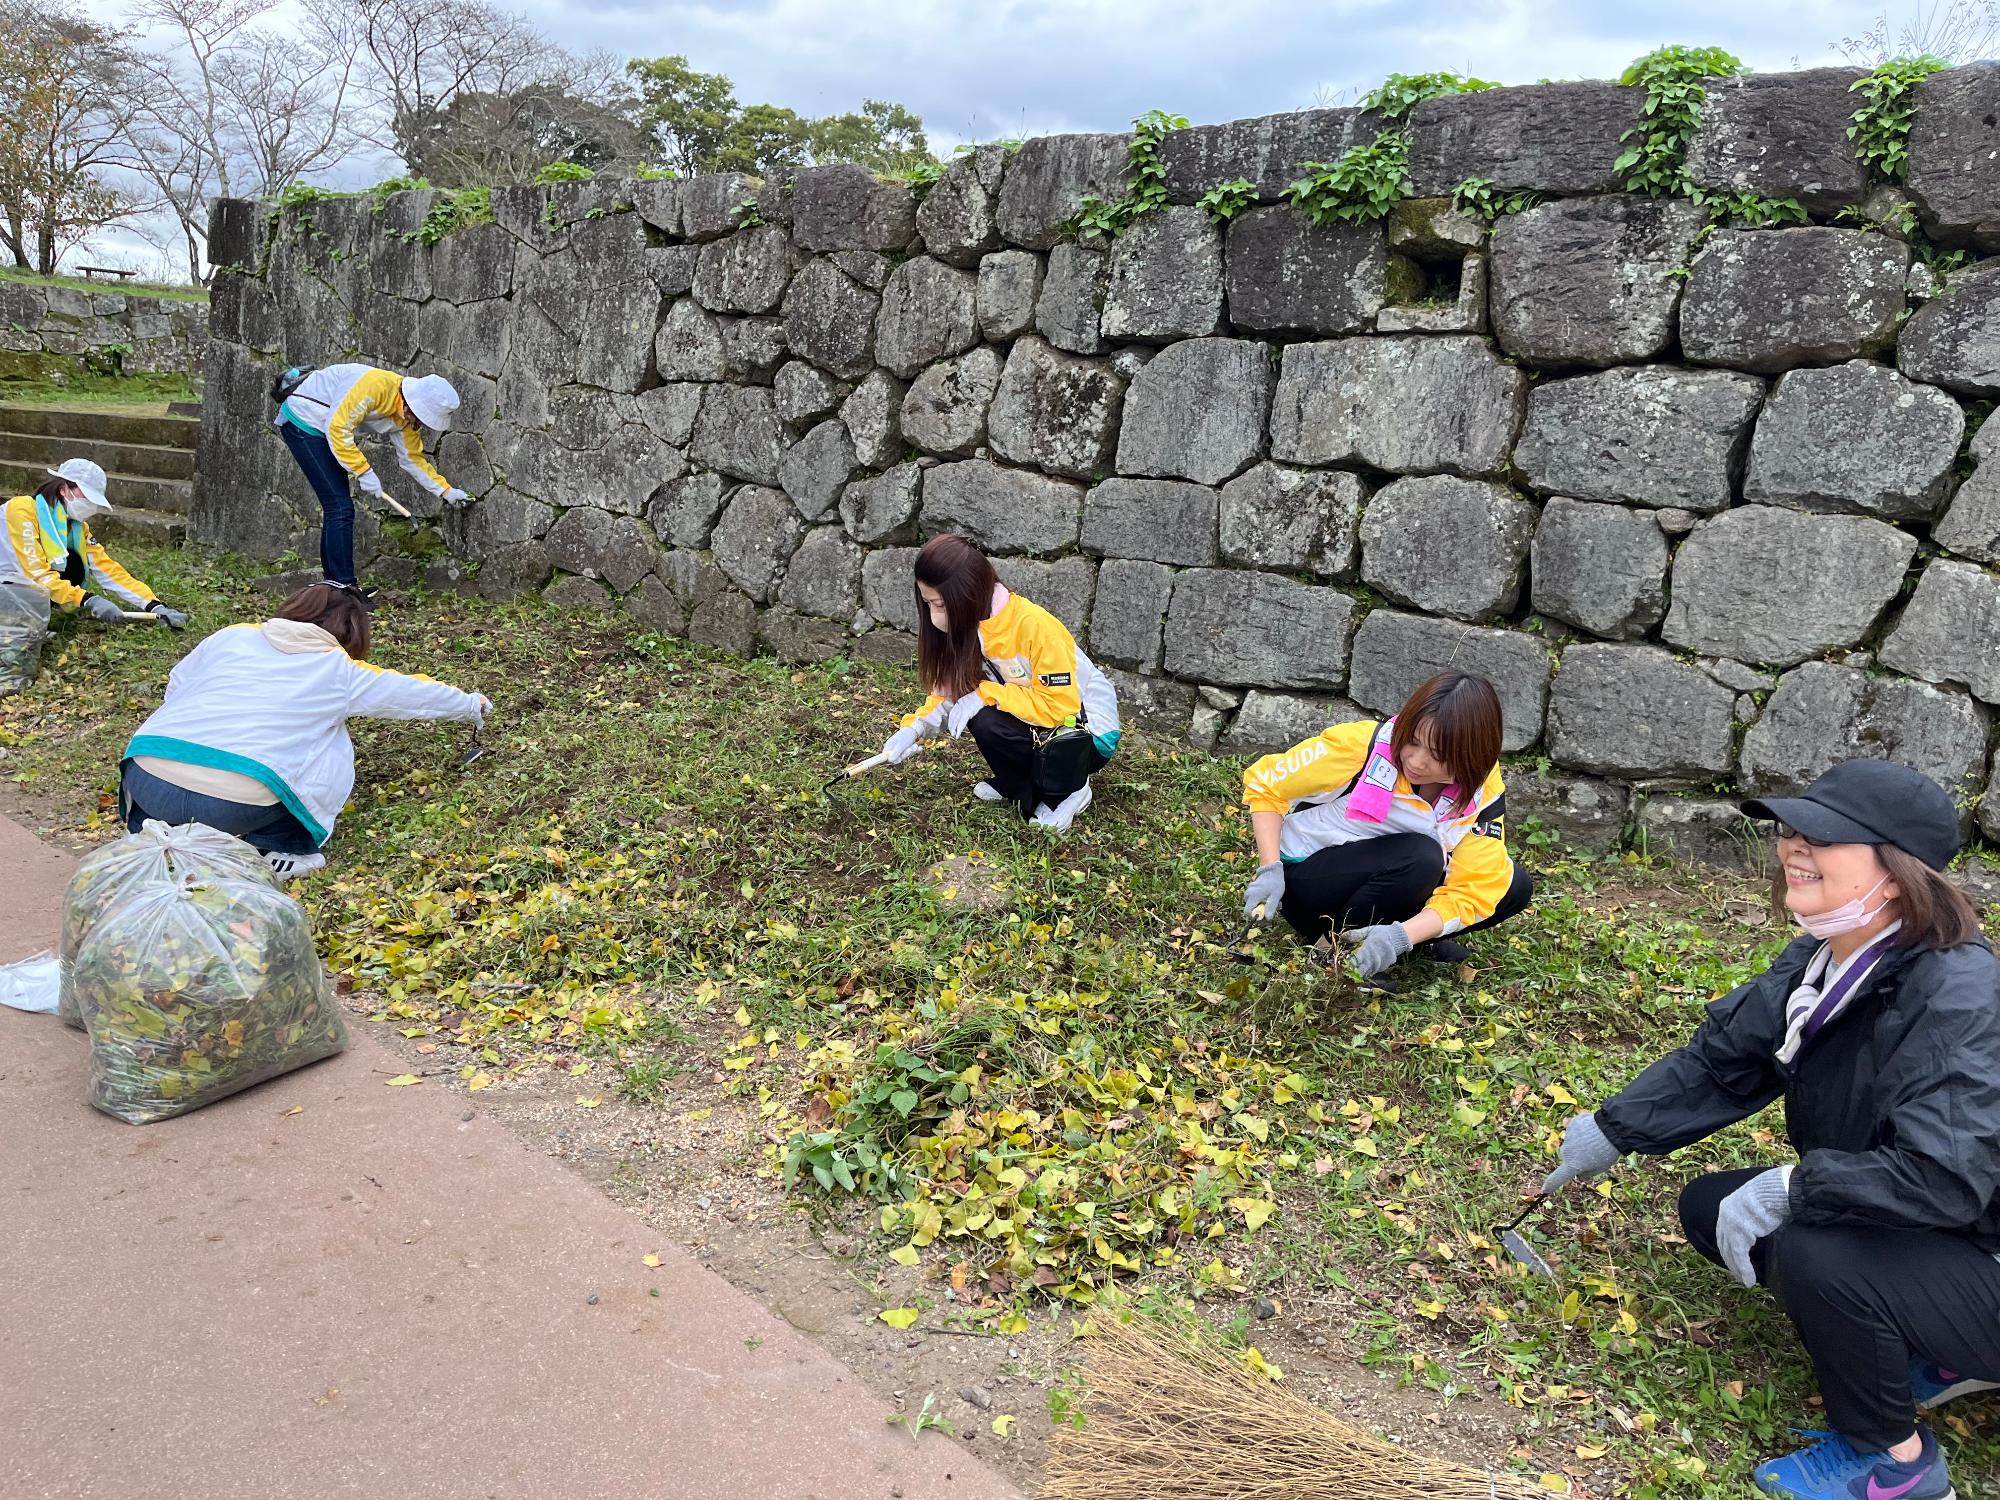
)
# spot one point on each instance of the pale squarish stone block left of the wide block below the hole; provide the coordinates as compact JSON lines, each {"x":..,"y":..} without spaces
{"x":1197,"y":411}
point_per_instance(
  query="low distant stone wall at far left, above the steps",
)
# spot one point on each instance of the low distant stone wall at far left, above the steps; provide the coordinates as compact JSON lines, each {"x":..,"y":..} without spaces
{"x":53,"y":333}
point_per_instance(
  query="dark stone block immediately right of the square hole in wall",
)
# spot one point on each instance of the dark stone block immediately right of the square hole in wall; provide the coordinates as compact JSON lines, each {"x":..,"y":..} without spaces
{"x":1591,"y":281}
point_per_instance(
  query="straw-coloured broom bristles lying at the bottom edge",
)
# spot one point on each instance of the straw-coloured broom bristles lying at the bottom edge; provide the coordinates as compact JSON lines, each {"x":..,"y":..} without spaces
{"x":1181,"y":1419}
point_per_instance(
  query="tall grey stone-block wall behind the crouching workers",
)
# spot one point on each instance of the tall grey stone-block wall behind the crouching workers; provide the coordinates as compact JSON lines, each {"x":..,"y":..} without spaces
{"x":1701,"y":505}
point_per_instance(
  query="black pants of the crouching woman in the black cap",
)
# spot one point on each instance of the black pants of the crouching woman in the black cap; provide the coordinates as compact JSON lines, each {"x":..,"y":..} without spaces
{"x":1867,"y":1303}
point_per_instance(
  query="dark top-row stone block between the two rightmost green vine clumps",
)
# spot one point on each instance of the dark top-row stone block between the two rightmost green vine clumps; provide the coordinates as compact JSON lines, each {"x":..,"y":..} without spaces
{"x":1781,"y":135}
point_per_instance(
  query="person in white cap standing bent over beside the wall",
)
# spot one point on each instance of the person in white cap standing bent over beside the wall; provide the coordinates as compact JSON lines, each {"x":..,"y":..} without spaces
{"x":319,"y":417}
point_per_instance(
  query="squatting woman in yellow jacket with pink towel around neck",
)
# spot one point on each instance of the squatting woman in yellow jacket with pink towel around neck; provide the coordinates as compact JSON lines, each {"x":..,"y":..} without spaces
{"x":1391,"y":833}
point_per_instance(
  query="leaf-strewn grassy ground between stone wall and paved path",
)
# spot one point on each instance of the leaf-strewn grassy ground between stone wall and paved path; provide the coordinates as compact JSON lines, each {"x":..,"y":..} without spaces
{"x":643,"y":855}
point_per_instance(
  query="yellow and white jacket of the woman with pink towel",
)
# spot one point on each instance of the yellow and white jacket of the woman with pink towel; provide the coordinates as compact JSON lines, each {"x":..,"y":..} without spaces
{"x":1311,"y":785}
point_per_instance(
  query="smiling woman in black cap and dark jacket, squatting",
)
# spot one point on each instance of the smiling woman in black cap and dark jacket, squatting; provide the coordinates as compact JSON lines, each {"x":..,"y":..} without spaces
{"x":1881,"y":1031}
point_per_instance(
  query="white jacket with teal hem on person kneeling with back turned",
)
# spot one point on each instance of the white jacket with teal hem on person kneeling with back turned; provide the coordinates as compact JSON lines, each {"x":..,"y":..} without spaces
{"x":273,"y":703}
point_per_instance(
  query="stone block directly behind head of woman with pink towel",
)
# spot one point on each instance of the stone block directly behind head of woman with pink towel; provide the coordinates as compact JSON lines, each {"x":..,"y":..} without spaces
{"x":1397,"y":653}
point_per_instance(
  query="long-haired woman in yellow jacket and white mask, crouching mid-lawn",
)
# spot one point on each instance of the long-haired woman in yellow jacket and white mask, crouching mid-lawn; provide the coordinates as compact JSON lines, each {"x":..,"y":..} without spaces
{"x":1043,"y":715}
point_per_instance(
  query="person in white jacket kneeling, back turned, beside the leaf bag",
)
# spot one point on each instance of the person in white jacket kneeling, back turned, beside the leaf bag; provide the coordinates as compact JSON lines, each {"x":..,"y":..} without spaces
{"x":253,"y":737}
